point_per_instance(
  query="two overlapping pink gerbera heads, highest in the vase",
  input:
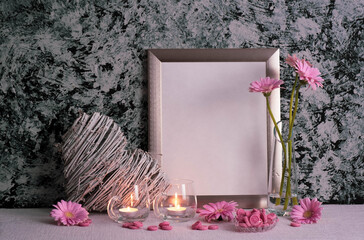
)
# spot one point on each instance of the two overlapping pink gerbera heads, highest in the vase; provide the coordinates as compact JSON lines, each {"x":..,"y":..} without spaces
{"x":305,"y":71}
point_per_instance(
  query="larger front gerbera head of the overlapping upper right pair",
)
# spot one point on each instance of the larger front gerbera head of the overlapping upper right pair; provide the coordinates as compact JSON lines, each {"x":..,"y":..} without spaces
{"x":309,"y":74}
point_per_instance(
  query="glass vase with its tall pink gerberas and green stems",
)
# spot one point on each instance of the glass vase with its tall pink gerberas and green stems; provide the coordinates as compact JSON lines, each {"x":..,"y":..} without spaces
{"x":288,"y":190}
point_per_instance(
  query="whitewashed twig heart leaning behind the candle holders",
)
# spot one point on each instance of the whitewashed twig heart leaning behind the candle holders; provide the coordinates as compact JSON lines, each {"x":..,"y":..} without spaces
{"x":95,"y":158}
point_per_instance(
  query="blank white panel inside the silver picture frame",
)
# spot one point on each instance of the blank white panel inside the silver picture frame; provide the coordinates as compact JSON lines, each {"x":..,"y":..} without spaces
{"x":214,"y":131}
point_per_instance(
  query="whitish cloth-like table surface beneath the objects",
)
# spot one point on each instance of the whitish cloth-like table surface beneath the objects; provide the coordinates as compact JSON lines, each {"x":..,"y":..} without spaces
{"x":337,"y":222}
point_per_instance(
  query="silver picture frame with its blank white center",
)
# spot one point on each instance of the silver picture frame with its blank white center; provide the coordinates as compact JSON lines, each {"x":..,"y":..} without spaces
{"x":177,"y":113}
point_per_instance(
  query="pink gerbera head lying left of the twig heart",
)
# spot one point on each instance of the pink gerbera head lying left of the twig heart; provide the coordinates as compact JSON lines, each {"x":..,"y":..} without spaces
{"x":69,"y":213}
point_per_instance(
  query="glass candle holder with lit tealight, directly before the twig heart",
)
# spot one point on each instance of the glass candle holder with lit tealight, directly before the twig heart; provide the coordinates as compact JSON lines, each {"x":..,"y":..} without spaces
{"x":129,"y":202}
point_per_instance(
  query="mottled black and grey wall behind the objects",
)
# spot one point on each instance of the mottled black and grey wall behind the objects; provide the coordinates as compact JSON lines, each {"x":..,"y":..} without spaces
{"x":61,"y":56}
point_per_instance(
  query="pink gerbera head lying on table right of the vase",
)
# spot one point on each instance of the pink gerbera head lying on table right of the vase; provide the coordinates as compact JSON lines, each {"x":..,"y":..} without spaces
{"x":308,"y":212}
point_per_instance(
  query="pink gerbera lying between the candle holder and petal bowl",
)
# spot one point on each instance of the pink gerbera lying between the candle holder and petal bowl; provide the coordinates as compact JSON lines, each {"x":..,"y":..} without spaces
{"x":218,"y":211}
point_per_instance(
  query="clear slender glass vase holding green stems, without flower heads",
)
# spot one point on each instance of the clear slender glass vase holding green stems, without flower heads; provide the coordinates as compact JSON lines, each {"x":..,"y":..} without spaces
{"x":282,"y":190}
